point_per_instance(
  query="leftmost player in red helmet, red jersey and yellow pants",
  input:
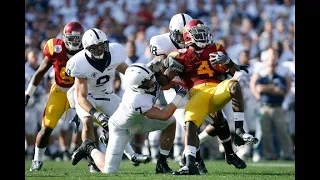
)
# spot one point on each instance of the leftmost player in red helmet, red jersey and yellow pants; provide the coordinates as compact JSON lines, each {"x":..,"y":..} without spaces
{"x":56,"y":53}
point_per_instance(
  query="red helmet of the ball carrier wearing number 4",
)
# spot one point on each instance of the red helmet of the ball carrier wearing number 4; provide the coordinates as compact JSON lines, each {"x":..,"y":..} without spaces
{"x":196,"y":32}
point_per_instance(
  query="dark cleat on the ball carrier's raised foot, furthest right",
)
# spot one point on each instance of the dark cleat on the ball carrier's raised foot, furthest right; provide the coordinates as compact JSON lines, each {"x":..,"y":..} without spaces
{"x":242,"y":138}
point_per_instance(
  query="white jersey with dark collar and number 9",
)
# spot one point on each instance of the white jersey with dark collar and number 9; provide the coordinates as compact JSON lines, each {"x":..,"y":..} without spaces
{"x":99,"y":74}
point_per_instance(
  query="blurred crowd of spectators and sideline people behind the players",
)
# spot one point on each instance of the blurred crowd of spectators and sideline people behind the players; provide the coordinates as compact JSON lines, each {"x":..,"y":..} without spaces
{"x":259,"y":33}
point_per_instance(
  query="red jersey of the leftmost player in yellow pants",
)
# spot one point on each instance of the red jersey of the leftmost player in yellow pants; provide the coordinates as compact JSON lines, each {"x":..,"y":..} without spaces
{"x":56,"y":51}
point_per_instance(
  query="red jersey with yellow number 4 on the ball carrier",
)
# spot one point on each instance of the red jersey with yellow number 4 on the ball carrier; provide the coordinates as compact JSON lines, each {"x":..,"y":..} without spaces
{"x":197,"y":67}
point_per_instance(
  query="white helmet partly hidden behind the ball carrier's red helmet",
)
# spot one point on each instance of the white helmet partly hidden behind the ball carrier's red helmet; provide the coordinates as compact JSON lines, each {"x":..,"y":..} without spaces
{"x":176,"y":26}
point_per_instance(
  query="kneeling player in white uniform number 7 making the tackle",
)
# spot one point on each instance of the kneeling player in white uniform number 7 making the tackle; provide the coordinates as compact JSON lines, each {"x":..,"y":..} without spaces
{"x":136,"y":114}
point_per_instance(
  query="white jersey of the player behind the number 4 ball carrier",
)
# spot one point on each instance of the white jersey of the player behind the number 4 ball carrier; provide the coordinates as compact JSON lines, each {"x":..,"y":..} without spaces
{"x":162,"y":45}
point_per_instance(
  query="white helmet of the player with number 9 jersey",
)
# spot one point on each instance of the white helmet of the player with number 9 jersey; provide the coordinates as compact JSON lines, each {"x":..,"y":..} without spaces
{"x":95,"y":43}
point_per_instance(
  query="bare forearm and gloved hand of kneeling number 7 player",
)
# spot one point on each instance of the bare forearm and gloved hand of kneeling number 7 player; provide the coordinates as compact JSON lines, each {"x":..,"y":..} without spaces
{"x":166,"y":112}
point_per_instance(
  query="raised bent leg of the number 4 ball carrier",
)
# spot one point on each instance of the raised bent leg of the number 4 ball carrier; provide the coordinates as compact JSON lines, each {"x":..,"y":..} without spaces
{"x":231,"y":90}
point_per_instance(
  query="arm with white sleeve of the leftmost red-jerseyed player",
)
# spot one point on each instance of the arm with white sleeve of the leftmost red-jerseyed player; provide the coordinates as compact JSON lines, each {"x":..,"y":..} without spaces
{"x":37,"y":77}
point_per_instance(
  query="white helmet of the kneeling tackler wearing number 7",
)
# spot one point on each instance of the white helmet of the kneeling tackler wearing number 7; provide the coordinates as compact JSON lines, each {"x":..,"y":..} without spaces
{"x":140,"y":78}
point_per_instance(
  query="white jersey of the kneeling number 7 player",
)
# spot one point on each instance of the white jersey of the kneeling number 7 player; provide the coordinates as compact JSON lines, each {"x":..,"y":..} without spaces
{"x":132,"y":106}
